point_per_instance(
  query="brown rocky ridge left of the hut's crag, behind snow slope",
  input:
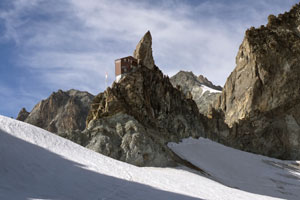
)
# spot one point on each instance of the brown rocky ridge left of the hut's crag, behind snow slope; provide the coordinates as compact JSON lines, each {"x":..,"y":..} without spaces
{"x":63,"y":113}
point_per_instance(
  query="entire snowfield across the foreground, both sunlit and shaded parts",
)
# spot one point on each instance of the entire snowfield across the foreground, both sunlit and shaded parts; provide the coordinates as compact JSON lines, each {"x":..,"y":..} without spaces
{"x":36,"y":164}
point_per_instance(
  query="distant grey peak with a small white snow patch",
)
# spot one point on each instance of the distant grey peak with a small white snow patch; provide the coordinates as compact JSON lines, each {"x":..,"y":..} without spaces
{"x":202,"y":91}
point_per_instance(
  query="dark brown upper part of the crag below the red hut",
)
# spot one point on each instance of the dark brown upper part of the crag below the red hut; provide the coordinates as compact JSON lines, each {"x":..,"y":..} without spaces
{"x":141,"y":89}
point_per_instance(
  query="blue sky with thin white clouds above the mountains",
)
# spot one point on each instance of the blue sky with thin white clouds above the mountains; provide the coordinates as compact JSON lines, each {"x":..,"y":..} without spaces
{"x":46,"y":45}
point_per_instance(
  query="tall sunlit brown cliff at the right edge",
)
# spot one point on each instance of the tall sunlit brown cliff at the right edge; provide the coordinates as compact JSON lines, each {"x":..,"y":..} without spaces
{"x":261,"y":97}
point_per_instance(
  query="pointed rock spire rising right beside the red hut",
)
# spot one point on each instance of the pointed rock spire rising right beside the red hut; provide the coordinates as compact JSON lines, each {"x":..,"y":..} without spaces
{"x":143,"y":51}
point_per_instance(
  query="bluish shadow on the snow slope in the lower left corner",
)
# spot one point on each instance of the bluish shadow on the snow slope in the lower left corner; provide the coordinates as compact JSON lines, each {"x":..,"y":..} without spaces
{"x":28,"y":171}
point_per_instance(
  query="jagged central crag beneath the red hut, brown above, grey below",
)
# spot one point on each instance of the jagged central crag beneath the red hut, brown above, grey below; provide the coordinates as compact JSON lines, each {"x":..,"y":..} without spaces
{"x":135,"y":119}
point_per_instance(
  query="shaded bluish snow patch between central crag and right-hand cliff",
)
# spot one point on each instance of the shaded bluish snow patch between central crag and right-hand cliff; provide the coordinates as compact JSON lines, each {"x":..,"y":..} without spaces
{"x":238,"y":169}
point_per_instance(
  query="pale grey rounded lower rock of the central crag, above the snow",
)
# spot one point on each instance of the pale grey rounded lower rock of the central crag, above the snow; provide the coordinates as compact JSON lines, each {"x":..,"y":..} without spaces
{"x":124,"y":138}
